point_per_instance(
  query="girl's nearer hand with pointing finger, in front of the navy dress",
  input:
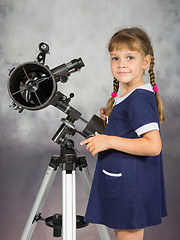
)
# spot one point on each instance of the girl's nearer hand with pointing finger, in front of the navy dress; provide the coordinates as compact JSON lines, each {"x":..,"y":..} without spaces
{"x":96,"y":144}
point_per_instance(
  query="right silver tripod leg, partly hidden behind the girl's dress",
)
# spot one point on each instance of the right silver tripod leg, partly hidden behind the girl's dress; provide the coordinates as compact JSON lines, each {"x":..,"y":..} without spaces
{"x":87,"y":182}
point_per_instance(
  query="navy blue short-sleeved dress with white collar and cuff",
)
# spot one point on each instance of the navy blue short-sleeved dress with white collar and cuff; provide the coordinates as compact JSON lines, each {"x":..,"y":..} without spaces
{"x":128,"y":190}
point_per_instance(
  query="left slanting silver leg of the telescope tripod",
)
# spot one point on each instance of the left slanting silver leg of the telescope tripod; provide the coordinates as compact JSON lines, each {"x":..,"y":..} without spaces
{"x":39,"y":203}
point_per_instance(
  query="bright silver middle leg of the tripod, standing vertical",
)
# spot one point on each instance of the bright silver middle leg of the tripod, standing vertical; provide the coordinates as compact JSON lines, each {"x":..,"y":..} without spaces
{"x":69,"y":206}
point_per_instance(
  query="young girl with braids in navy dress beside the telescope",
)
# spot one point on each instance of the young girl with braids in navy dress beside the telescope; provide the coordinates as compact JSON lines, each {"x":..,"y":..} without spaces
{"x":128,"y":193}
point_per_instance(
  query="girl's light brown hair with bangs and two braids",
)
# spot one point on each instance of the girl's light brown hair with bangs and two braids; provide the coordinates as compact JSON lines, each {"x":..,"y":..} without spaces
{"x":136,"y":40}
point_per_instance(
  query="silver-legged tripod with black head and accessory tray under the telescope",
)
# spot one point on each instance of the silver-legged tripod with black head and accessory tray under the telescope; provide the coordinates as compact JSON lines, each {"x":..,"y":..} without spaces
{"x":68,"y":221}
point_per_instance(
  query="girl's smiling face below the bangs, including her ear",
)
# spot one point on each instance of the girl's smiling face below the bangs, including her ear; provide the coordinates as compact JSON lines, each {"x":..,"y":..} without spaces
{"x":128,"y":66}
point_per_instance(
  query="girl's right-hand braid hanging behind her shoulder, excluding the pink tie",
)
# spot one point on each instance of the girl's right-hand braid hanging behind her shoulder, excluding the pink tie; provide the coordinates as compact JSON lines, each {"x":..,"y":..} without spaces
{"x":157,"y":95}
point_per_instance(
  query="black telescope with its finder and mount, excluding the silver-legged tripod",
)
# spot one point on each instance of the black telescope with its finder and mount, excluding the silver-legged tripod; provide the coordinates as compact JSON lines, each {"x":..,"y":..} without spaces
{"x":33,"y":86}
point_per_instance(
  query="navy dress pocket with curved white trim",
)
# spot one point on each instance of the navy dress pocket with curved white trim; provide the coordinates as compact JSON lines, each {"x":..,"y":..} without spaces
{"x":111,"y":184}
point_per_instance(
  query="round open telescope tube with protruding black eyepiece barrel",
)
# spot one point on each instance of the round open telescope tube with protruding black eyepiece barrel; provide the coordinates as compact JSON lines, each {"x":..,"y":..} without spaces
{"x":33,"y":86}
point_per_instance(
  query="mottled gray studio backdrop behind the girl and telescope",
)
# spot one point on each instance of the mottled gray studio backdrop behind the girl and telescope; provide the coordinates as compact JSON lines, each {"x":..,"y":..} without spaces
{"x":73,"y":29}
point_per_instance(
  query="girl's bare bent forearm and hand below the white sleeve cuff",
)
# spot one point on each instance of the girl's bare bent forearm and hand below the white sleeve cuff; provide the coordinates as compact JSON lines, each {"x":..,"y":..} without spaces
{"x":147,"y":145}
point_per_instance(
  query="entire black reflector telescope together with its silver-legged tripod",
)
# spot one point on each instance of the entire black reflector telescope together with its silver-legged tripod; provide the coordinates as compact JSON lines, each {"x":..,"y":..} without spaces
{"x":33,"y":86}
